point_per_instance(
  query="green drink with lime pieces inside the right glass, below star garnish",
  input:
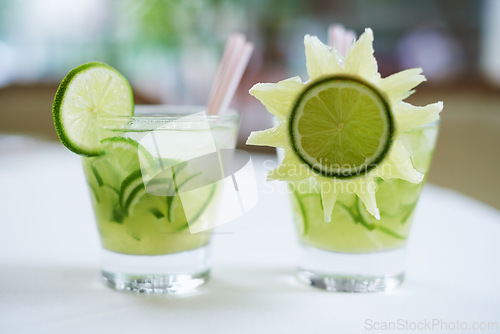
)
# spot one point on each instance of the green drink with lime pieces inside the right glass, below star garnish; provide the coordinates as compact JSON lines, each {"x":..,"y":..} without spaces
{"x":352,"y":229}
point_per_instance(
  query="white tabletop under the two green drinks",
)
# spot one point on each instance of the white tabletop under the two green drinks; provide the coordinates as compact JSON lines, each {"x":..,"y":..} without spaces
{"x":49,"y":265}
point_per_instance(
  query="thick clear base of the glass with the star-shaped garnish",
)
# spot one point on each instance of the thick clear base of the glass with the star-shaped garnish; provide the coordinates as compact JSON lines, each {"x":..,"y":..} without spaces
{"x":349,"y":272}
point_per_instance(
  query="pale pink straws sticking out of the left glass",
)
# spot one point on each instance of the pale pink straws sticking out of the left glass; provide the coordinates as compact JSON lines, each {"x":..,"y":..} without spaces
{"x":235,"y":57}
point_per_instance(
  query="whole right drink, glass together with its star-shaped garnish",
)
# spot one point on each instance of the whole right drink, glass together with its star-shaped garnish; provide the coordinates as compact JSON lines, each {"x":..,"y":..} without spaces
{"x":355,"y":157}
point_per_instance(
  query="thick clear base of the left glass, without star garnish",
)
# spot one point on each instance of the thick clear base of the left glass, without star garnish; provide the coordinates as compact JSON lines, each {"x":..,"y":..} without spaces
{"x":171,"y":273}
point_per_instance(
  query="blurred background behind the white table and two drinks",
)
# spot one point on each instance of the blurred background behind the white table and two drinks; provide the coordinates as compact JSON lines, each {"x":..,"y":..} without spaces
{"x":169,"y":50}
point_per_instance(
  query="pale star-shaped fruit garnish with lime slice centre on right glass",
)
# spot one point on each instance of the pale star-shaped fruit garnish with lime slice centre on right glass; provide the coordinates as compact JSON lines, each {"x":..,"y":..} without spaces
{"x":343,"y":128}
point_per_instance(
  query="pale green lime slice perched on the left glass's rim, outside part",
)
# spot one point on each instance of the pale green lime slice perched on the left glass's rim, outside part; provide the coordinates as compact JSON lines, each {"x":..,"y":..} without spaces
{"x":87,"y":92}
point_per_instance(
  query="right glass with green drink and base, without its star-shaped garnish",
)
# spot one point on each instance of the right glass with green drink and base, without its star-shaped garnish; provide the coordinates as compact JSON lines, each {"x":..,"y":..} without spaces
{"x":355,"y":252}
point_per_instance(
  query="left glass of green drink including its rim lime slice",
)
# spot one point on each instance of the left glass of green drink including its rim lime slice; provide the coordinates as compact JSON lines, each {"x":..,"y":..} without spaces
{"x":153,"y":174}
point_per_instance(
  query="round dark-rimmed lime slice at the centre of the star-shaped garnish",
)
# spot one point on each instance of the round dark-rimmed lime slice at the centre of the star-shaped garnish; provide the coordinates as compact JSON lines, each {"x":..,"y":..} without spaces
{"x":341,"y":126}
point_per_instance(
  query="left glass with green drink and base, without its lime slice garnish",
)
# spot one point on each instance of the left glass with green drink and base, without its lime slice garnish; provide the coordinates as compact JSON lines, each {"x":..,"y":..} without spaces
{"x":155,"y":195}
